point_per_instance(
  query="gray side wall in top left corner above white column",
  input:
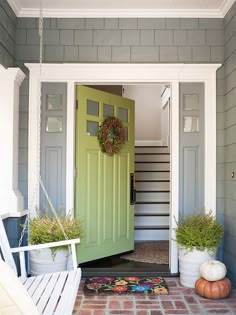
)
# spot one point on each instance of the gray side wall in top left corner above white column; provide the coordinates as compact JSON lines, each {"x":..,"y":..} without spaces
{"x":7,"y":35}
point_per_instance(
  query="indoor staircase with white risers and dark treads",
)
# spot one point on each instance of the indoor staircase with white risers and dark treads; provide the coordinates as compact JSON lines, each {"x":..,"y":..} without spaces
{"x":152,"y":180}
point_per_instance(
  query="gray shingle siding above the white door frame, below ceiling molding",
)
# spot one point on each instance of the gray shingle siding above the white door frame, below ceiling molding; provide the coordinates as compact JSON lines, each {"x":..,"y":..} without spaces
{"x":147,"y":40}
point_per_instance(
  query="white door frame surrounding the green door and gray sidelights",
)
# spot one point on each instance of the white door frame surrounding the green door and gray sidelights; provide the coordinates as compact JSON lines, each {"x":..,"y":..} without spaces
{"x":116,"y":74}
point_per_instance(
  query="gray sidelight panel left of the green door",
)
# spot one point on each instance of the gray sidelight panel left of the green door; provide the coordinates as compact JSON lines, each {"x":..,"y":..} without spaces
{"x":53,"y":144}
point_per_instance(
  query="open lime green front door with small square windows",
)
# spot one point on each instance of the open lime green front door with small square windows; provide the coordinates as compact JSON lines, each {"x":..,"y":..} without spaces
{"x":102,"y":188}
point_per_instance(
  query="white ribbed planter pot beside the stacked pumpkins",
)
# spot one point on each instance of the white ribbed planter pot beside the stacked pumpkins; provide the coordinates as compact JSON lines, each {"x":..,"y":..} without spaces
{"x":189,"y":265}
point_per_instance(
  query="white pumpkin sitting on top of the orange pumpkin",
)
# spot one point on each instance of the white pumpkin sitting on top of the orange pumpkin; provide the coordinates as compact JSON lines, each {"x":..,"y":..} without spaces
{"x":213,"y":270}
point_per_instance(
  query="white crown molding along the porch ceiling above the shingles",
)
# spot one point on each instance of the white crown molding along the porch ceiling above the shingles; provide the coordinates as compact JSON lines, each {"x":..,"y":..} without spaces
{"x":118,"y":11}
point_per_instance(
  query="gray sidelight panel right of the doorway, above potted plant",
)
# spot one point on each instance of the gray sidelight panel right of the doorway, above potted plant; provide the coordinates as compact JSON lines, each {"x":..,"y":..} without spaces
{"x":192,"y":132}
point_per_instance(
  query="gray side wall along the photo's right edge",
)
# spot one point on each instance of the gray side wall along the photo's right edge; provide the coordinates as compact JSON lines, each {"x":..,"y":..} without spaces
{"x":230,"y":143}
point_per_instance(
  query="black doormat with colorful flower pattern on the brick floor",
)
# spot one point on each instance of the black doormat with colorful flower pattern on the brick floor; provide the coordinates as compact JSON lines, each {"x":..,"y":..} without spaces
{"x":125,"y":285}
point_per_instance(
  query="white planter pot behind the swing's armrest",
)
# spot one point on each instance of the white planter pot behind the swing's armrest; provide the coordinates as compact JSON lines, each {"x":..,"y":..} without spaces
{"x":41,"y":261}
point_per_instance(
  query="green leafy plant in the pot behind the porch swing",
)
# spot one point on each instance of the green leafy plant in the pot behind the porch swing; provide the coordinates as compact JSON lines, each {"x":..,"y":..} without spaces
{"x":44,"y":228}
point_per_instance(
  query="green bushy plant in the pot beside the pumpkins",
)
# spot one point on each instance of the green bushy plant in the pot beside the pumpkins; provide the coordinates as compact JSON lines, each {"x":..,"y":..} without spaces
{"x":199,"y":230}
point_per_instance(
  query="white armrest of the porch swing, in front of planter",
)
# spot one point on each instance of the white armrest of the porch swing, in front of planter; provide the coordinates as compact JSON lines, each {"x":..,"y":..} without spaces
{"x":23,"y":249}
